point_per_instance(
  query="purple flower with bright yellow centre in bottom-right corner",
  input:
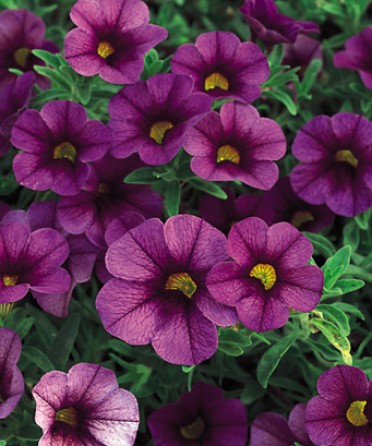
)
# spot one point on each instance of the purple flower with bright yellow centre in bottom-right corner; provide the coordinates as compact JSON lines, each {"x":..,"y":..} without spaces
{"x":342,"y":413}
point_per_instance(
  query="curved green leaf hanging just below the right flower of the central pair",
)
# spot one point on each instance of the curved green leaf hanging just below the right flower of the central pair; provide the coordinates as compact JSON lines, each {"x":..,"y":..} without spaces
{"x":271,"y":358}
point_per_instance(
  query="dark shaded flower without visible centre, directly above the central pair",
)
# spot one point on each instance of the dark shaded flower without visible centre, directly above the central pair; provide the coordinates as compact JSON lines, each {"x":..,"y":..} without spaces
{"x":222,"y":214}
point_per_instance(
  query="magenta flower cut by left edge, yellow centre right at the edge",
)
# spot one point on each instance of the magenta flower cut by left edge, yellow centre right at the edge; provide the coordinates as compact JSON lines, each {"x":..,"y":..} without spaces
{"x":31,"y":261}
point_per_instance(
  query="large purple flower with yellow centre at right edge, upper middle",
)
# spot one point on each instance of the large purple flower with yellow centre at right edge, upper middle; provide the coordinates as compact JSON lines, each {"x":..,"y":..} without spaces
{"x":336,"y":163}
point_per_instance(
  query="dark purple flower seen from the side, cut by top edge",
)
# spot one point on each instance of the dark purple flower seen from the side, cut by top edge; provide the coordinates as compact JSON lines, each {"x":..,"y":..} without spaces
{"x":266,"y":23}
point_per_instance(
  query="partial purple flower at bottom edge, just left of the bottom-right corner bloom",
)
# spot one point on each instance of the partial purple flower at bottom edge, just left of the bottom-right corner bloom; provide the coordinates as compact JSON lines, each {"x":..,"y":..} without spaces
{"x":272,"y":429}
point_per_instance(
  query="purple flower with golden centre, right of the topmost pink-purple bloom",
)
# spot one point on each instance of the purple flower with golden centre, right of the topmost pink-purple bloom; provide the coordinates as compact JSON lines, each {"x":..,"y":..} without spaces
{"x":222,"y":66}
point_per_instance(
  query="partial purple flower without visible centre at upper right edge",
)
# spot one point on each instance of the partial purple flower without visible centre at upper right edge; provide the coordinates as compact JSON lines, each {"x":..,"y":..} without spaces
{"x":357,"y":56}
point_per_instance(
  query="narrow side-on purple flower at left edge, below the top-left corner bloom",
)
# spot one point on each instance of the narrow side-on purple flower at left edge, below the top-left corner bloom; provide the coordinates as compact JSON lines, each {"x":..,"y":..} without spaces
{"x":14,"y":98}
